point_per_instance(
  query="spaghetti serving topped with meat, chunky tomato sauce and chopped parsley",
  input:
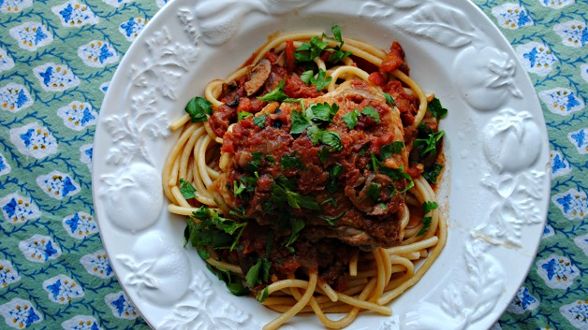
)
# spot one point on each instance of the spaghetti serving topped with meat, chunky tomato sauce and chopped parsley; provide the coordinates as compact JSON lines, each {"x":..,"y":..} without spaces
{"x":307,"y":177}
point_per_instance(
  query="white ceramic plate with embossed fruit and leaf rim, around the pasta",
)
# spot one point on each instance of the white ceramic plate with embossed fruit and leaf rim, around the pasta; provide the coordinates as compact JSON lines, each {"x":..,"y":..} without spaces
{"x":495,"y":191}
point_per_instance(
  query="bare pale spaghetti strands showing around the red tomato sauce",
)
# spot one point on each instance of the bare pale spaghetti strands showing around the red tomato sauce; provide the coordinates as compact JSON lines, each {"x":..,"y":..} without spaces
{"x":195,"y":166}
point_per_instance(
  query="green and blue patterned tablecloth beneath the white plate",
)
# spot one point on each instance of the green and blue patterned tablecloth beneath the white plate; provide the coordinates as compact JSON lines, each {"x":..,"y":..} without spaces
{"x":56,"y":59}
